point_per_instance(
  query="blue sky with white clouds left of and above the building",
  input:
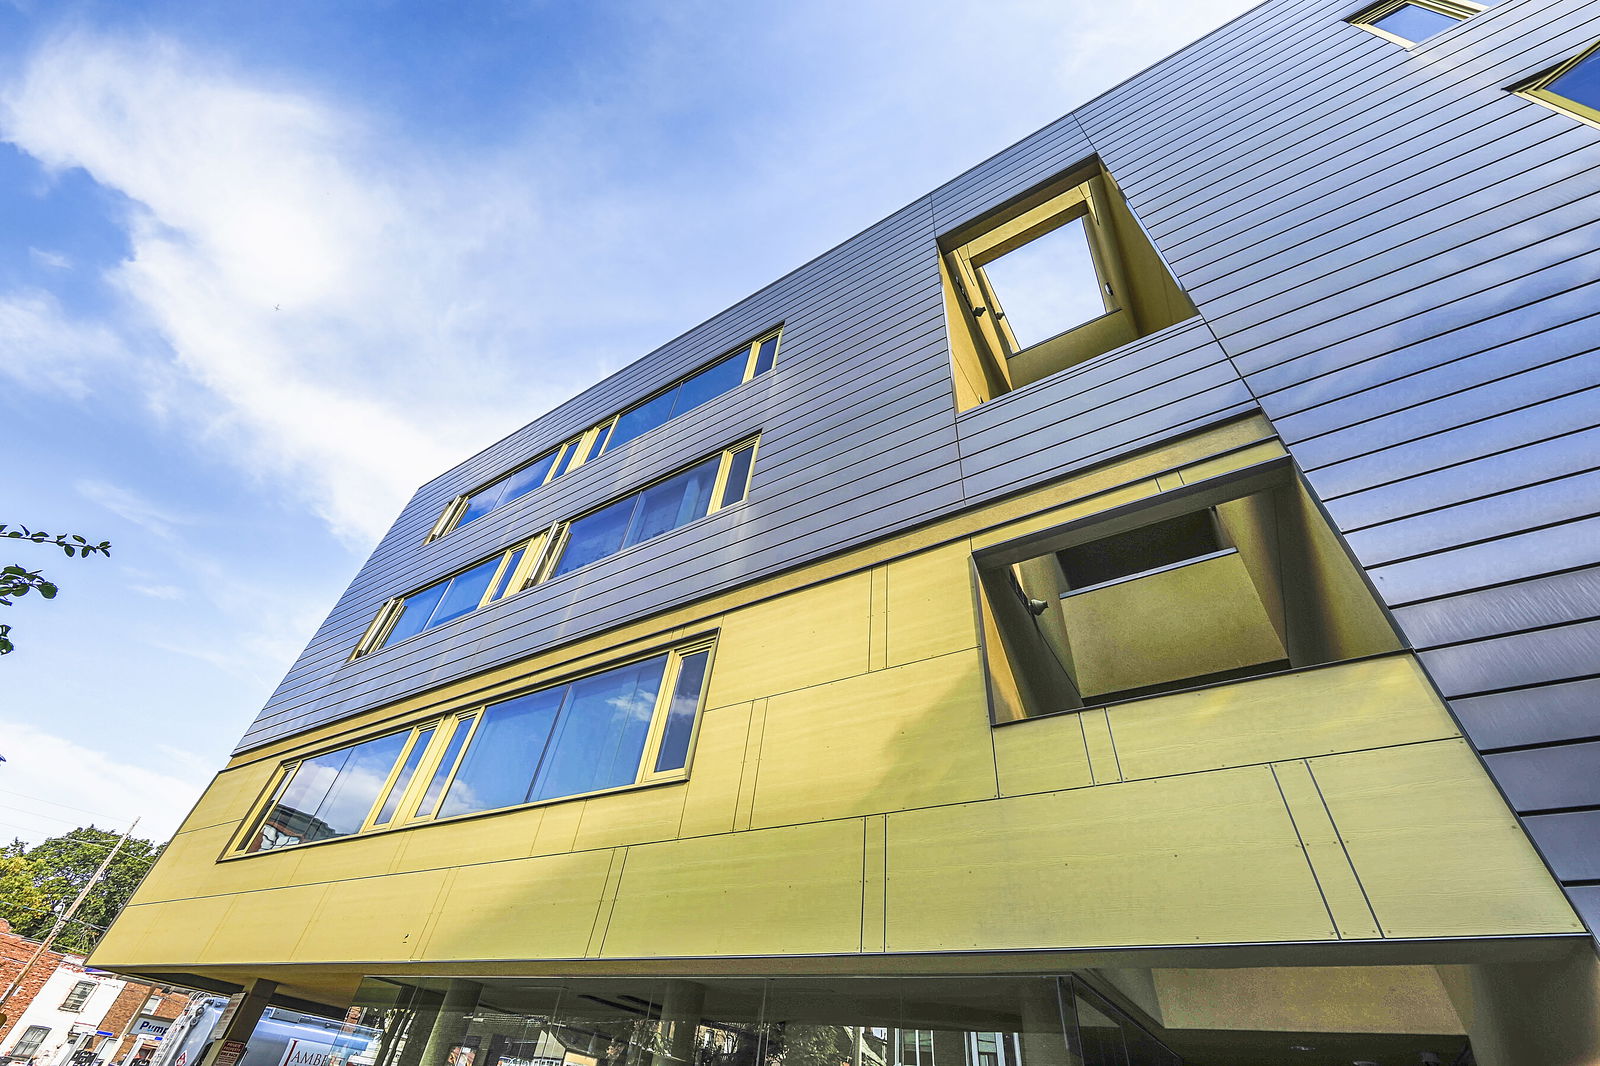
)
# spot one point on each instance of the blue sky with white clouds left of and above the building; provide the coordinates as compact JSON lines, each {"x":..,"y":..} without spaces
{"x":268,"y":268}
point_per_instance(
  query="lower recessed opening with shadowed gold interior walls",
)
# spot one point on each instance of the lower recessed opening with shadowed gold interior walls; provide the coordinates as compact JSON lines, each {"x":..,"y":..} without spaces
{"x":1204,"y":585}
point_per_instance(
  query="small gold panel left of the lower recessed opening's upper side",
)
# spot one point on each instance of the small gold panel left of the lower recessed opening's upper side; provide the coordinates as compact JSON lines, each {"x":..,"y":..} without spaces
{"x":930,"y":604}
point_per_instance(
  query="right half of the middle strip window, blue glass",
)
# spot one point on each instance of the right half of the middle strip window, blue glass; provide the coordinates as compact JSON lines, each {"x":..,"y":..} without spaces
{"x":689,"y":495}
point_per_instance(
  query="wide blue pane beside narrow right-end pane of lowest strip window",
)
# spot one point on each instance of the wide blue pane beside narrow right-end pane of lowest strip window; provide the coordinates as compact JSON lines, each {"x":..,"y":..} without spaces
{"x":602,"y":732}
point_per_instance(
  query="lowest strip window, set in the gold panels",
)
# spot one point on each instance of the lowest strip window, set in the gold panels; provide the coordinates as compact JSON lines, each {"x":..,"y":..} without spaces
{"x":633,"y":724}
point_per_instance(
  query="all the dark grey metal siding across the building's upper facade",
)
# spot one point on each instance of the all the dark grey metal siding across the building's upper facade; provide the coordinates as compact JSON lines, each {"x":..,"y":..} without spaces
{"x":1393,"y":255}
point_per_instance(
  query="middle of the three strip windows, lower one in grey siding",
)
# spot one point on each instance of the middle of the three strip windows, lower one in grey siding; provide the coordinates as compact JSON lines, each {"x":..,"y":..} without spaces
{"x":703,"y":489}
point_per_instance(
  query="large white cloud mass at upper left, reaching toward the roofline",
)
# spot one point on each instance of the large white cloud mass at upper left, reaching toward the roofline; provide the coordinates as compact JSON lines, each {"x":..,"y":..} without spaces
{"x":319,"y":286}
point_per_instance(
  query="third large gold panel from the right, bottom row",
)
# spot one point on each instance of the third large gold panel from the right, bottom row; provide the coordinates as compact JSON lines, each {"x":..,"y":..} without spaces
{"x":793,"y":891}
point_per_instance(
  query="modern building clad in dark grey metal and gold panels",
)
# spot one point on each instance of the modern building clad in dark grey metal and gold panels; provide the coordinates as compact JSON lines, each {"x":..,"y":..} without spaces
{"x":1135,"y":604}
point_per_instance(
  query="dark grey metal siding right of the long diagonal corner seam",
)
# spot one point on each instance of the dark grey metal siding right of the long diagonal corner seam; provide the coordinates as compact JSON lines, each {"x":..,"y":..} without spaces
{"x":1401,"y":260}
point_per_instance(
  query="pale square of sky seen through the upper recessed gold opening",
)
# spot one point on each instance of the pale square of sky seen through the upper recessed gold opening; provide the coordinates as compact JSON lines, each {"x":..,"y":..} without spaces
{"x":1049,"y":286}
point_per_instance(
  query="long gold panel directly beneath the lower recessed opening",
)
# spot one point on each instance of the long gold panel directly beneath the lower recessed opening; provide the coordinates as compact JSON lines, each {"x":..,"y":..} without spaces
{"x":1289,"y":716}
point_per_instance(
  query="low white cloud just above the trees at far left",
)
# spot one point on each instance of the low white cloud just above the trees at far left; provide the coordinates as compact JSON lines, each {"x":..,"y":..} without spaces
{"x":54,"y":783}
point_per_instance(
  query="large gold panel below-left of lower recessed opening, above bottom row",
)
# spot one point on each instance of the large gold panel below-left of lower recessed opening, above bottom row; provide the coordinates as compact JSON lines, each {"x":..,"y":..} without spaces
{"x":890,"y":740}
